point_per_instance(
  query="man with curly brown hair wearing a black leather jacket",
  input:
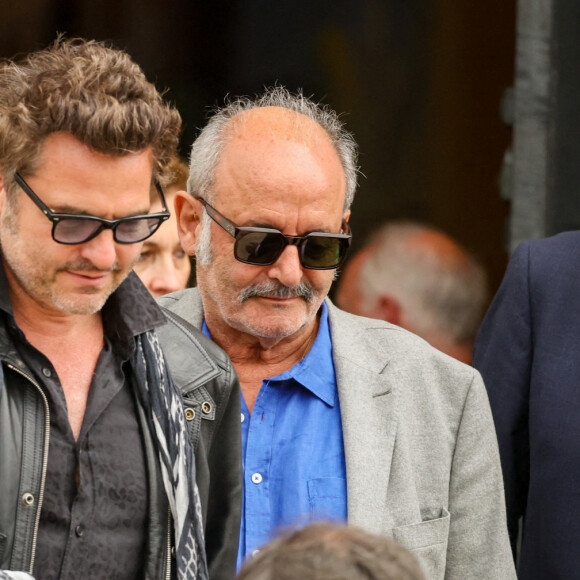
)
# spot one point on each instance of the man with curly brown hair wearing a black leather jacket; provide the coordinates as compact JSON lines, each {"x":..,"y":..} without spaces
{"x":98,"y":471}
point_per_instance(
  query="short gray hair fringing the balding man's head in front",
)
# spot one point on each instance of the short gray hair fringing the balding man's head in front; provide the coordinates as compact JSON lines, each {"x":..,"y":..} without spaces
{"x":207,"y":148}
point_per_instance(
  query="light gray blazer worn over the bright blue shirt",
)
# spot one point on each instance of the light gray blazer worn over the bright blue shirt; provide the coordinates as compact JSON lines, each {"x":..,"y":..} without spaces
{"x":422,"y":462}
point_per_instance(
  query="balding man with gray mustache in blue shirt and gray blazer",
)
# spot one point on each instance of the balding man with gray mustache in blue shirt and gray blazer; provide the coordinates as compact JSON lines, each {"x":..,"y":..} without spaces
{"x":343,"y":418}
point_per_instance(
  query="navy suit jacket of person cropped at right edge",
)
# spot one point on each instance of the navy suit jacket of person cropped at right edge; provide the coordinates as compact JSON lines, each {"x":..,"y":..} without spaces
{"x":528,"y":351}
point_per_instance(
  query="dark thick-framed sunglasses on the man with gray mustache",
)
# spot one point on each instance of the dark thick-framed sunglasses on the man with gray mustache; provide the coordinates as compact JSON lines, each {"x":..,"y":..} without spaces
{"x":263,"y":246}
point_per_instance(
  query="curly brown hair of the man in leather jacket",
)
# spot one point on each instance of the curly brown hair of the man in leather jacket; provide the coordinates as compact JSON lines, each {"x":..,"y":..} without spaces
{"x":90,"y":90}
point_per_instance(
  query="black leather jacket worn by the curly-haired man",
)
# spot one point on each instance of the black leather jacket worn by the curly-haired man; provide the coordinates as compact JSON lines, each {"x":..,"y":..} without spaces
{"x":212,"y":399}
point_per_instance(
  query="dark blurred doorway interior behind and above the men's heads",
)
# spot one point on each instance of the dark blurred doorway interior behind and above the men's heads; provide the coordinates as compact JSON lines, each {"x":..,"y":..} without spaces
{"x":420,"y":83}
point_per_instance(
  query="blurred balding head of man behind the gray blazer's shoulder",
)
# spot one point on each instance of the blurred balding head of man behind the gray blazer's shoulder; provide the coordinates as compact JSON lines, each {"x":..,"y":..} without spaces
{"x":420,"y":279}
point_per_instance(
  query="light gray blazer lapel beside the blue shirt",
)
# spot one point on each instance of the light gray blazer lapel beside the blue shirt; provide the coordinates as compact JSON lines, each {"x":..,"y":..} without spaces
{"x":369,"y":418}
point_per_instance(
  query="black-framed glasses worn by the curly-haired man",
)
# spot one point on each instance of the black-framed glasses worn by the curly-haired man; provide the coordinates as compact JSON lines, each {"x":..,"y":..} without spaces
{"x":74,"y":229}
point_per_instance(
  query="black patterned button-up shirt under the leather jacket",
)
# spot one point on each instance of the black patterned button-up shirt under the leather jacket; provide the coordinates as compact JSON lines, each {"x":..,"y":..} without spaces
{"x":93,"y":522}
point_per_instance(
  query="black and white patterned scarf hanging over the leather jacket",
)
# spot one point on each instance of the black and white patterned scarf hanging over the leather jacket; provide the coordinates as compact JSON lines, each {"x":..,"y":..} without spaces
{"x":163,"y":406}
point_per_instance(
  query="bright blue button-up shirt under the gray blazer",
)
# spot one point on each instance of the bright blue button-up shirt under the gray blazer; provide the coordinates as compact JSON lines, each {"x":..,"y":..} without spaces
{"x":293,"y":453}
